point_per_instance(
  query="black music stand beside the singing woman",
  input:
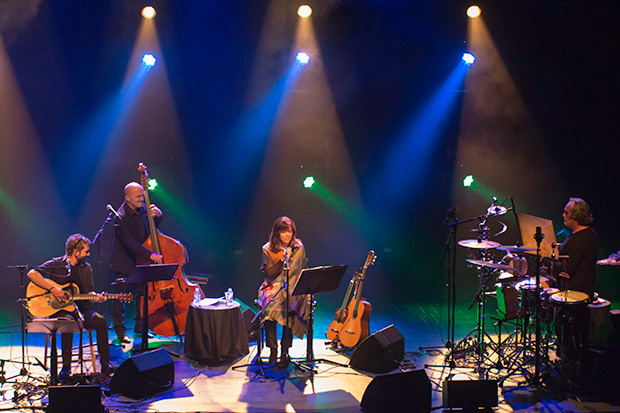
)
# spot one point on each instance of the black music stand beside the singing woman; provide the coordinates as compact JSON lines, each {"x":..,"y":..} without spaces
{"x":313,"y":281}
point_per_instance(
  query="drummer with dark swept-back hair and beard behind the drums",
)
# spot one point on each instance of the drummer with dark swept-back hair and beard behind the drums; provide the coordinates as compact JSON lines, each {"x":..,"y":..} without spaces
{"x":578,"y":272}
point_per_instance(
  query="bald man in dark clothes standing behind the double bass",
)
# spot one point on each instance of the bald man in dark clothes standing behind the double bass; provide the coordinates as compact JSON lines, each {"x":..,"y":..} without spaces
{"x":131,"y":230}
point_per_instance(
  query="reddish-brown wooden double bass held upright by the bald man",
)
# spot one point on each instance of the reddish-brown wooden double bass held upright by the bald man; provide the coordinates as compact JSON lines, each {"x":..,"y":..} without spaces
{"x":169,"y":300}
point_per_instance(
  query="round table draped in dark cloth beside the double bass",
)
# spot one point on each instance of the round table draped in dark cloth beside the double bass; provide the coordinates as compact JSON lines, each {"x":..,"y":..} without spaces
{"x":215,"y":333}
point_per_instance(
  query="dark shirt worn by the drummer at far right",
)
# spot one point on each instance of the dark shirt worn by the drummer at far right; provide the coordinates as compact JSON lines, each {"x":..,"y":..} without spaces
{"x":582,"y":250}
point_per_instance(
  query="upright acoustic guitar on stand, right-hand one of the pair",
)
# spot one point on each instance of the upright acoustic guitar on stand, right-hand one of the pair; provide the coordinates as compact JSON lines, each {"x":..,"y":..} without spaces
{"x":355,"y":327}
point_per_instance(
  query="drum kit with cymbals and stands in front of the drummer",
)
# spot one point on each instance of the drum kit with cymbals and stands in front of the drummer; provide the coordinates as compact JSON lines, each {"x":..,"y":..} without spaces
{"x":543,"y":316}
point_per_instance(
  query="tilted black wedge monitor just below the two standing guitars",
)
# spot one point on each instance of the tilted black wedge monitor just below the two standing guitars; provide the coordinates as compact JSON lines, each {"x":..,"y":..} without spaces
{"x":380,"y":352}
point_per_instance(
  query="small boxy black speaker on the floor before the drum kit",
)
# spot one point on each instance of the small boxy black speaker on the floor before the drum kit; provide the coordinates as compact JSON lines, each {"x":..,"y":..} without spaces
{"x":469,"y":393}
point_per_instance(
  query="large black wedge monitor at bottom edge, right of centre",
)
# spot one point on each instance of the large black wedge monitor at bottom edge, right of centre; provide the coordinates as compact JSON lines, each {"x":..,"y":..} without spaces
{"x":399,"y":392}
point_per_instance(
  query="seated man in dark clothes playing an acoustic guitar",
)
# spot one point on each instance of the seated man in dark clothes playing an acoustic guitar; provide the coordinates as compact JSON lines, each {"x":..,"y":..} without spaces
{"x":54,"y":274}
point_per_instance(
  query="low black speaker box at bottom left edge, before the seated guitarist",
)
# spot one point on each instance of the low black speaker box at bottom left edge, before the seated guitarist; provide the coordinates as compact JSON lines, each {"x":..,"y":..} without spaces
{"x":86,"y":399}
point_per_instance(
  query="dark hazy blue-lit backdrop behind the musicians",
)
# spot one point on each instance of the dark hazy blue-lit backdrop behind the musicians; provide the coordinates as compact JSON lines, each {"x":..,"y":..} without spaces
{"x":383,"y":60}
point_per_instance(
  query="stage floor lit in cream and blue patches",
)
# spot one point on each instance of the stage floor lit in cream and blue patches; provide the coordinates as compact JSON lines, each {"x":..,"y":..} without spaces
{"x":200,"y":388}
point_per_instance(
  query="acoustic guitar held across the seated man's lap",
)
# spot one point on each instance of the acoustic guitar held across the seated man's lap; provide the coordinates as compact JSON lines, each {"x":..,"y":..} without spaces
{"x":42,"y":303}
